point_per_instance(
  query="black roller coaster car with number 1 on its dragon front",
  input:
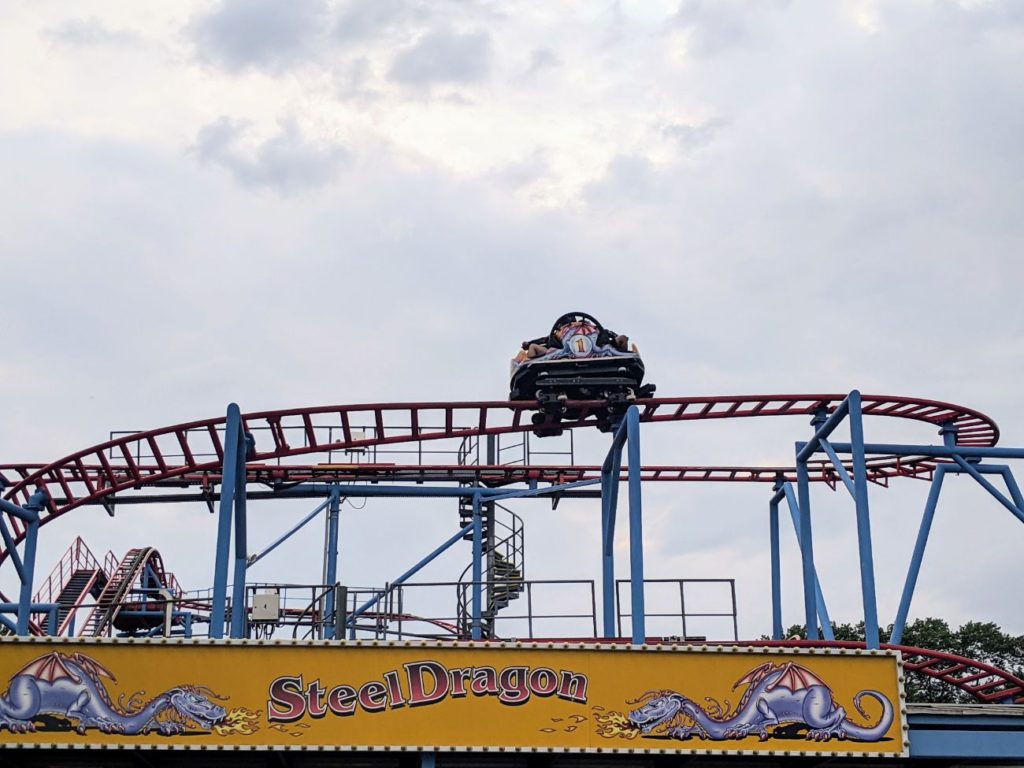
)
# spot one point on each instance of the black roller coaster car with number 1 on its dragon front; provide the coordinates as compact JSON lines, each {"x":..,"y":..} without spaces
{"x":579,"y":360}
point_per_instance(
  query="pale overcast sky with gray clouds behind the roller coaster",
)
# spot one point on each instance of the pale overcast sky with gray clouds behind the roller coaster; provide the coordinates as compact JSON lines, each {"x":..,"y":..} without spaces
{"x":312,"y":203}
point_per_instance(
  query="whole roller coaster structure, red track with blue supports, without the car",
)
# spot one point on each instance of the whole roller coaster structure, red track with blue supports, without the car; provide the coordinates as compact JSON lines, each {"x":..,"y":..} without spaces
{"x":461,"y":451}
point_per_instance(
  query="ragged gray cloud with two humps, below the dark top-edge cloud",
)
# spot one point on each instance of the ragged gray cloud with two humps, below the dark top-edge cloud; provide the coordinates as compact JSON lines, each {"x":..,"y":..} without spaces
{"x":286,"y":163}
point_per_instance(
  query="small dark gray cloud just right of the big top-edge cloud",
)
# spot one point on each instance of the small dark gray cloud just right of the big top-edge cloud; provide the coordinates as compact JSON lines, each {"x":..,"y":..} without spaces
{"x":445,"y":57}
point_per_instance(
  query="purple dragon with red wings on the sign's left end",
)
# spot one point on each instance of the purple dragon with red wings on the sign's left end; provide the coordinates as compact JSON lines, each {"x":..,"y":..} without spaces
{"x":70,"y":687}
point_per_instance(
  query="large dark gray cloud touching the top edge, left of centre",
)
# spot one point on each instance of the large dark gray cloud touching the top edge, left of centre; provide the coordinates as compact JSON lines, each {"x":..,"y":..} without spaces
{"x":262,"y":34}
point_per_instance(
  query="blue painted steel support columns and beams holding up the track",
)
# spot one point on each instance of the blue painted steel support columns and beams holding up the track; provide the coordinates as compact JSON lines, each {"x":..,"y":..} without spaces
{"x":850,"y":462}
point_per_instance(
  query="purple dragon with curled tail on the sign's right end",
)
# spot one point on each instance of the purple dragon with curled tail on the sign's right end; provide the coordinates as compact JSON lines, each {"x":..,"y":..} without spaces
{"x":778,"y":695}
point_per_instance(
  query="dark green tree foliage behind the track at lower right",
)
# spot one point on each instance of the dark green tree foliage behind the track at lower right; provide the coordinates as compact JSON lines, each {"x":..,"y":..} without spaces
{"x":980,"y":642}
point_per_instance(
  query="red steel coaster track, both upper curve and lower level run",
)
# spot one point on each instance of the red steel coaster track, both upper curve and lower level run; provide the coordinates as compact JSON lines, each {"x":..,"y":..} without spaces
{"x":193,"y":453}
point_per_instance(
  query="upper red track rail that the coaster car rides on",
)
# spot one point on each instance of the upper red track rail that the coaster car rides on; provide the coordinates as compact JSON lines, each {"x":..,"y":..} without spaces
{"x":90,"y":476}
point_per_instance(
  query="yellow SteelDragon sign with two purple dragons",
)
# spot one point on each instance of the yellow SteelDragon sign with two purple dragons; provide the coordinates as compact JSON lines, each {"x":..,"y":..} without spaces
{"x":250,"y":695}
